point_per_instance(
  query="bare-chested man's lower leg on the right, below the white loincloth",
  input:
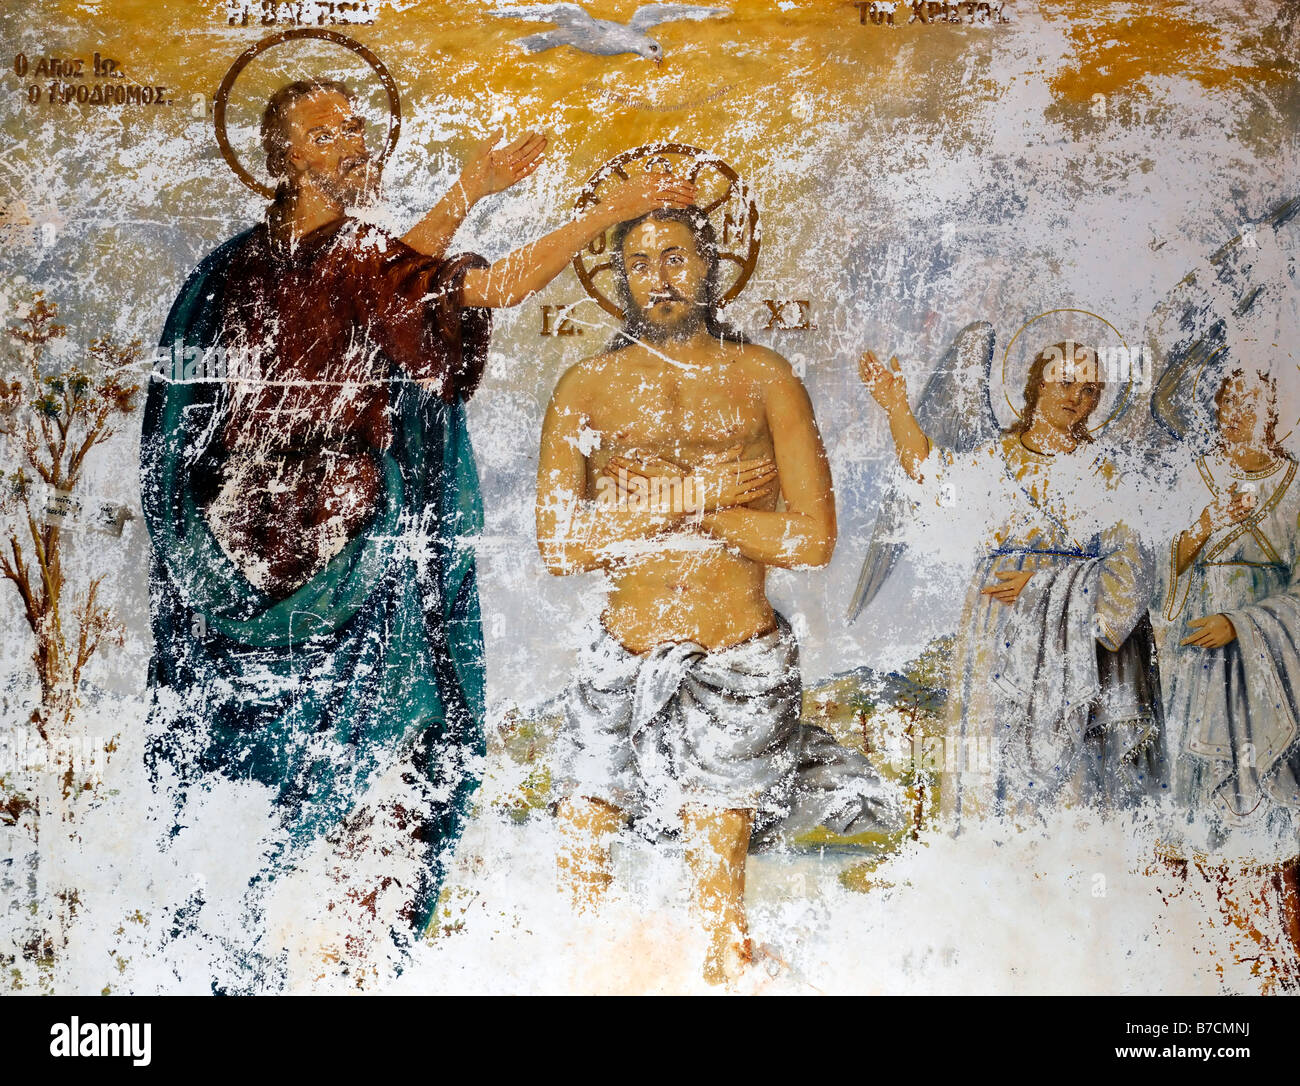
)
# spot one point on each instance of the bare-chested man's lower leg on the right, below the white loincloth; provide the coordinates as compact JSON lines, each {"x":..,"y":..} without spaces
{"x":717,"y":845}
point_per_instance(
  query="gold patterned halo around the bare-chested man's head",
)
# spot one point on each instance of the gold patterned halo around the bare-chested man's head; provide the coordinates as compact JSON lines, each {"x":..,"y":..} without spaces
{"x":744,"y":254}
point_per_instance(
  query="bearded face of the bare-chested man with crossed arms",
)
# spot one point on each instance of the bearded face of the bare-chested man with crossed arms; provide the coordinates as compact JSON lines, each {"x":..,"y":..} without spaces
{"x":668,"y":282}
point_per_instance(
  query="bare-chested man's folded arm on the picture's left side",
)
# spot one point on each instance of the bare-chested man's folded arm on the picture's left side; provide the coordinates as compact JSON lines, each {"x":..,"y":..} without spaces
{"x":575,"y":531}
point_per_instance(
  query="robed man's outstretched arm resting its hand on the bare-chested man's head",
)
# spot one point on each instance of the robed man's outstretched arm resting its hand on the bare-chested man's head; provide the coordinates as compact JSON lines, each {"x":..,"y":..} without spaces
{"x":528,"y":270}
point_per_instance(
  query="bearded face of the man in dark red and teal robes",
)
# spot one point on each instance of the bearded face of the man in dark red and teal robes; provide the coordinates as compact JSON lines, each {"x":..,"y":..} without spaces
{"x":327,"y":145}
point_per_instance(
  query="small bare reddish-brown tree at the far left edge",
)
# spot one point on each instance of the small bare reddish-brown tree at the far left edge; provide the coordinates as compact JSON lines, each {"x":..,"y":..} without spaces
{"x":57,"y":416}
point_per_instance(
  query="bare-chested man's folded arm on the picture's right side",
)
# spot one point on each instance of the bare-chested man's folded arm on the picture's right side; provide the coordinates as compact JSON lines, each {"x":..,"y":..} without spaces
{"x":804,"y":533}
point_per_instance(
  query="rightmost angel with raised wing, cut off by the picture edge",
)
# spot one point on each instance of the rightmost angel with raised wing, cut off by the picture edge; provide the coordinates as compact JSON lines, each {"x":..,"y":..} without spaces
{"x":1233,"y":589}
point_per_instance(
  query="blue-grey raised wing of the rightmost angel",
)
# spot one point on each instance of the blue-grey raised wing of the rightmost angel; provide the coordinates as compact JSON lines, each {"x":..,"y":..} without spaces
{"x":1193,"y":323}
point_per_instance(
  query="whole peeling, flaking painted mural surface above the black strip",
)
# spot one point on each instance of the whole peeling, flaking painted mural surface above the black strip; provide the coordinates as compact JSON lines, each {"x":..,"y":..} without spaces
{"x":959,"y":194}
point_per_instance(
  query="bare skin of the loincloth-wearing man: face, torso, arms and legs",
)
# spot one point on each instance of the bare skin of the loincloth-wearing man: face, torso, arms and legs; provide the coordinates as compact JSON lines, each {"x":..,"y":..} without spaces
{"x":729,"y":423}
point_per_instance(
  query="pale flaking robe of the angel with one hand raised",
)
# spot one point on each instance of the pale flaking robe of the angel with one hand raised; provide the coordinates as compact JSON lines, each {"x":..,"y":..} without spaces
{"x":1055,"y":700}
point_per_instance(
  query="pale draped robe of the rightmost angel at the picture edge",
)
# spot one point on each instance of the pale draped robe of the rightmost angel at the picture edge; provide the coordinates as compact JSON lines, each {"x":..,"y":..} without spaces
{"x":1237,"y":708}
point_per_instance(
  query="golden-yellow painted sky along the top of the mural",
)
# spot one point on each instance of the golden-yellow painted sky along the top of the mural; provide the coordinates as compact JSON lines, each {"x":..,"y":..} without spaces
{"x":762,"y":67}
